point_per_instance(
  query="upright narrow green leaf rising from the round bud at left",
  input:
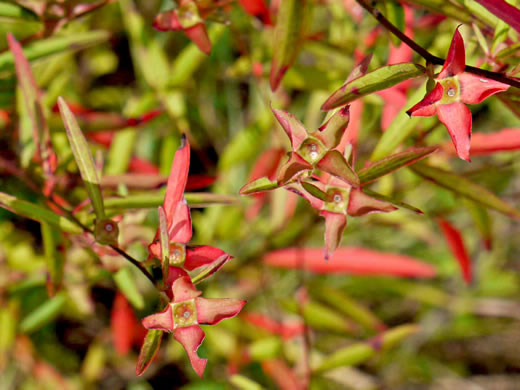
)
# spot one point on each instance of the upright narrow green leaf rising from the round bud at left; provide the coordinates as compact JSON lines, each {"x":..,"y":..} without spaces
{"x":83,"y":158}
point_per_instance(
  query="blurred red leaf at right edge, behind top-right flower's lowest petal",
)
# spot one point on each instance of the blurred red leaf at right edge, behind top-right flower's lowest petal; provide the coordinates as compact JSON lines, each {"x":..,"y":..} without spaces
{"x":482,"y":144}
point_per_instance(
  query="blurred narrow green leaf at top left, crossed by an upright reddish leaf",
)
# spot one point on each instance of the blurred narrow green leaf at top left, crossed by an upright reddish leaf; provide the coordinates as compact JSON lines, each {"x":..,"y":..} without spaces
{"x":45,"y":47}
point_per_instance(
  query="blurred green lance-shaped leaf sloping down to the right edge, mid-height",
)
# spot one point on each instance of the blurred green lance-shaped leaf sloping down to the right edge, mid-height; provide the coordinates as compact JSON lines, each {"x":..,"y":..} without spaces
{"x":466,"y":188}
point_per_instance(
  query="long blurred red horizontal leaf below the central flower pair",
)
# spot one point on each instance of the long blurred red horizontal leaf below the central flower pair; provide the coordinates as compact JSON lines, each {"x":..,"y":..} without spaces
{"x":358,"y":261}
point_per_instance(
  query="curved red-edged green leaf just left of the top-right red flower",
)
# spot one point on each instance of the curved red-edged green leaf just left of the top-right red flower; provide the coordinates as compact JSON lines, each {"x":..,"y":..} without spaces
{"x":381,"y":78}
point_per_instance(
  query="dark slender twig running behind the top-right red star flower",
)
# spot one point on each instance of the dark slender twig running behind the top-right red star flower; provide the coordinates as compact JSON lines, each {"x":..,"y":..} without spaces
{"x":427,"y":55}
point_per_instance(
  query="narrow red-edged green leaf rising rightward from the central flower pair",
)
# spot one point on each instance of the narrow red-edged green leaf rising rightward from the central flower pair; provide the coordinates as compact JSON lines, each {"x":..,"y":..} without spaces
{"x":393,"y":163}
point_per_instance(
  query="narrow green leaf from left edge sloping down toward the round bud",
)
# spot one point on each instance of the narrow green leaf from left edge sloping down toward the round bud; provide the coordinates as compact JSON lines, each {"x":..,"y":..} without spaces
{"x":37,"y":213}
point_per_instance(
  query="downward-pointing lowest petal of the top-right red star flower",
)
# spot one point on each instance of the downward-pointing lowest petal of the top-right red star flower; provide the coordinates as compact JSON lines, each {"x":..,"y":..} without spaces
{"x":457,"y":119}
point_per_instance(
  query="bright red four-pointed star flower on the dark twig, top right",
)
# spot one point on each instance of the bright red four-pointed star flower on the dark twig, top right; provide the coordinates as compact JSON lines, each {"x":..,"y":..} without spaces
{"x":453,"y":90}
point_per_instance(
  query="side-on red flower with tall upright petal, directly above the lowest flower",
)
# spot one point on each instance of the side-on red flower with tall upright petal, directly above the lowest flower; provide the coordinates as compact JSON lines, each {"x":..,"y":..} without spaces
{"x":178,"y":221}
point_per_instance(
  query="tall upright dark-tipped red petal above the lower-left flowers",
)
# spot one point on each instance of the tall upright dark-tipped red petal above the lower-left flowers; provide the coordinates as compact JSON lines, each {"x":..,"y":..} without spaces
{"x":177,"y":179}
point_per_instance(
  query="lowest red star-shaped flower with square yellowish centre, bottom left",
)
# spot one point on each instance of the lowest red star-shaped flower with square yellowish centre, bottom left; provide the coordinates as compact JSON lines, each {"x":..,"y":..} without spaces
{"x":186,"y":311}
